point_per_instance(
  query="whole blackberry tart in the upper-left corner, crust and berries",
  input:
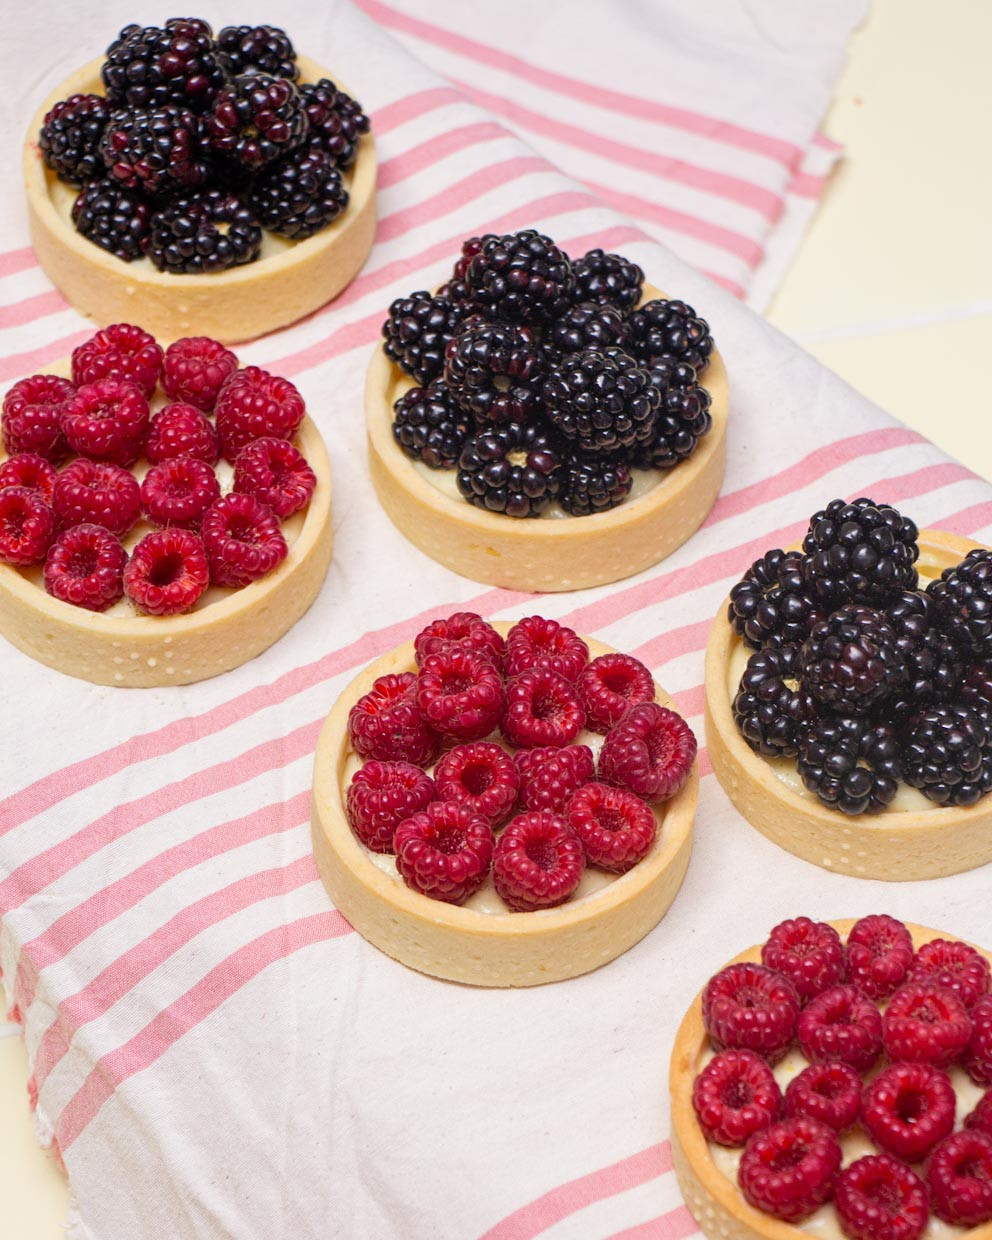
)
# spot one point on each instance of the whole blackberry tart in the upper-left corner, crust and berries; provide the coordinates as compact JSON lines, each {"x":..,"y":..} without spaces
{"x":221,"y":183}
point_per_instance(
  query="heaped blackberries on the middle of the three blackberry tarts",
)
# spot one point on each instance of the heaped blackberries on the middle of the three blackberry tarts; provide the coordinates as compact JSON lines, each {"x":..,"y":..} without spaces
{"x":539,"y":380}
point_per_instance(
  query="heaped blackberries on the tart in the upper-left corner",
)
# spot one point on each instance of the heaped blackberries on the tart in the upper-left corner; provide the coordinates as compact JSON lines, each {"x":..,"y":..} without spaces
{"x":200,"y":143}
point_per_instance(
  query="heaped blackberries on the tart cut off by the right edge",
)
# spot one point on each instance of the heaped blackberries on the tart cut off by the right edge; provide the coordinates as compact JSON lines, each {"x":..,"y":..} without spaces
{"x":861,"y":675}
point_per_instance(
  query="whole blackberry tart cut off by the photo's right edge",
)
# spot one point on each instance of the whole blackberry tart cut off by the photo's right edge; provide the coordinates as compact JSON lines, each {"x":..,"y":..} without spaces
{"x":849,"y":706}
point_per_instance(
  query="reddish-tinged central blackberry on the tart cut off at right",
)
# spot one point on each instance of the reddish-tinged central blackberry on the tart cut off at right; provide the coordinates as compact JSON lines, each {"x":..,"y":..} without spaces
{"x":851,"y":662}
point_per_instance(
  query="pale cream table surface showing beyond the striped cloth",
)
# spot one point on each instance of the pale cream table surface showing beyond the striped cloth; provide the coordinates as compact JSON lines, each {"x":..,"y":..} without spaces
{"x":908,"y":208}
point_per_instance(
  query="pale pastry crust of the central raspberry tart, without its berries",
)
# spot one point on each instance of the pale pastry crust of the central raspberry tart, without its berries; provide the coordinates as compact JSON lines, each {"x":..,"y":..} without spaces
{"x":484,"y":944}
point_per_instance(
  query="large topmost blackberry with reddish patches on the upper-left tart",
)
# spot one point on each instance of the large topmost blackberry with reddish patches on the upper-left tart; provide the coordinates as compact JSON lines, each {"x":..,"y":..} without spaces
{"x":154,"y":66}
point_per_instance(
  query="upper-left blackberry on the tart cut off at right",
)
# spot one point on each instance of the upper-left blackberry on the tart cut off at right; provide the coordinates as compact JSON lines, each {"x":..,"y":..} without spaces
{"x":772,"y":604}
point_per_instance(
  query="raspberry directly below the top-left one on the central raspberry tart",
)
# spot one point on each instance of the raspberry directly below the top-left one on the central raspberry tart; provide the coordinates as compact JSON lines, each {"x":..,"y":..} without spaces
{"x":461,"y":694}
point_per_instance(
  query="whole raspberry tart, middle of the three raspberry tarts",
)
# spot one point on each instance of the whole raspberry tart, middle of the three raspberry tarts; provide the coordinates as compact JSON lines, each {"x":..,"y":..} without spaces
{"x":474,"y":810}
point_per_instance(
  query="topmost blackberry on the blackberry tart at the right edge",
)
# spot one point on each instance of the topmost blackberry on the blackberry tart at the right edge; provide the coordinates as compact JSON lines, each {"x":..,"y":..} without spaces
{"x":861,"y":552}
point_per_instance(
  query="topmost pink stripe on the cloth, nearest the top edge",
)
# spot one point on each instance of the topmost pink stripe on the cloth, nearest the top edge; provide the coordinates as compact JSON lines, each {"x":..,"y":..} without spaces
{"x":614,"y":101}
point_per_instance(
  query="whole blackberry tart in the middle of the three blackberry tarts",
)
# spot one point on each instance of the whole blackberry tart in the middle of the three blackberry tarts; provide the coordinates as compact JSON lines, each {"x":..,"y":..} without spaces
{"x":544,"y":423}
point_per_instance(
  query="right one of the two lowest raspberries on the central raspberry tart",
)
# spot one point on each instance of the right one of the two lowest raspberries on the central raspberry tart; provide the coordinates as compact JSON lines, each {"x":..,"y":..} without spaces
{"x":539,"y":862}
